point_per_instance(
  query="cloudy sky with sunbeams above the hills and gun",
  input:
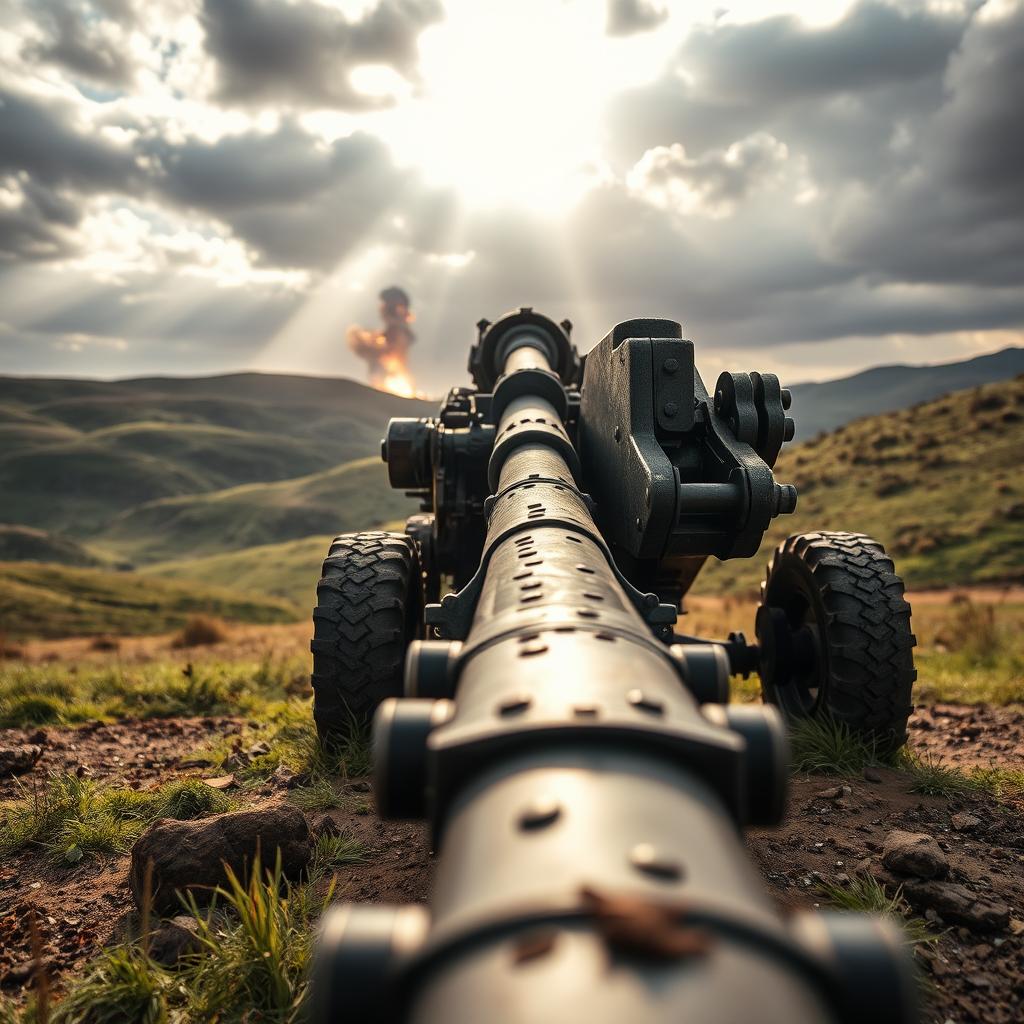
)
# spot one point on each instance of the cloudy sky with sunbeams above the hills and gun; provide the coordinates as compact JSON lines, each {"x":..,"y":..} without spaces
{"x":193,"y":187}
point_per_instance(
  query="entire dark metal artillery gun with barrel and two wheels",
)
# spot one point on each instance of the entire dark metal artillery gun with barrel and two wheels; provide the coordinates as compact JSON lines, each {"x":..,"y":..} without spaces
{"x":578,"y":759}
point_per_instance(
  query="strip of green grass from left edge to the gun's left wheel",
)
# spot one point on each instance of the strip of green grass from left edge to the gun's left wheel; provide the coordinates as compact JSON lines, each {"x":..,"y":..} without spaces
{"x":56,"y":695}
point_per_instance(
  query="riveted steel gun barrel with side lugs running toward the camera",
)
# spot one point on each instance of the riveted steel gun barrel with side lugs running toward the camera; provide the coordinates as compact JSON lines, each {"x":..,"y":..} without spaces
{"x":586,"y":809}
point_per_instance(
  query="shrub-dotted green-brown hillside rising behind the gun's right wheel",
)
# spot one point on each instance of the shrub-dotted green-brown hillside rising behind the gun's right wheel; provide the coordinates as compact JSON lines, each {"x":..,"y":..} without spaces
{"x":941,"y":485}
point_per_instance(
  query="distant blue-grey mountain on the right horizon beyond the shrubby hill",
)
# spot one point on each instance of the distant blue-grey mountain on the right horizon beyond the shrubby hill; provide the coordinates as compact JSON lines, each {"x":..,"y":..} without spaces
{"x":819,"y":408}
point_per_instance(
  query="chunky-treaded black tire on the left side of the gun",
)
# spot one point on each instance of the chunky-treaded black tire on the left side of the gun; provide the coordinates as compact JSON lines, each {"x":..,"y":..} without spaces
{"x":369,"y":610}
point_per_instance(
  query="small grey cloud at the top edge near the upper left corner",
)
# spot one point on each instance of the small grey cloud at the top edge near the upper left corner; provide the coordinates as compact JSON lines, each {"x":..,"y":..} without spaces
{"x":75,"y":40}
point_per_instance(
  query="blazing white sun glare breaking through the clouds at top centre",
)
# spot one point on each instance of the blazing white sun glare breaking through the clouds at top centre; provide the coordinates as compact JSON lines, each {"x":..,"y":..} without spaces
{"x":510,"y":104}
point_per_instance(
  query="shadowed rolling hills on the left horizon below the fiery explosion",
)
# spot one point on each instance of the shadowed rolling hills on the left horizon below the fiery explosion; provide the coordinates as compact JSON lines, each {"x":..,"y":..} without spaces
{"x":74,"y":454}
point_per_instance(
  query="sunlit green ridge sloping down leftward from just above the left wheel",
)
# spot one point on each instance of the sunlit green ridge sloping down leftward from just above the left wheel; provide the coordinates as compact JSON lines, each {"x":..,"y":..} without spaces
{"x":355,"y":496}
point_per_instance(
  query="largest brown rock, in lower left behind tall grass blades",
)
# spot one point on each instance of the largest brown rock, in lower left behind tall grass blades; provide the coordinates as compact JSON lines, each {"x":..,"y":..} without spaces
{"x":192,"y":855}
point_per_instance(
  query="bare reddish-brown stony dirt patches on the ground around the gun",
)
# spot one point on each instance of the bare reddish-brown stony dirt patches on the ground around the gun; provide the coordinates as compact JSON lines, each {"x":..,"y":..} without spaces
{"x":978,"y":976}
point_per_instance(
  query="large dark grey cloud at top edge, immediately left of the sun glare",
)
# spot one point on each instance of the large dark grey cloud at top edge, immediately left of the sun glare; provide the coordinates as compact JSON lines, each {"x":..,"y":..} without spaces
{"x":272,"y":52}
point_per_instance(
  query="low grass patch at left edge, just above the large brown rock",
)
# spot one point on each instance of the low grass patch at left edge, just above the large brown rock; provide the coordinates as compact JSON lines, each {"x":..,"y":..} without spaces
{"x":73,"y":818}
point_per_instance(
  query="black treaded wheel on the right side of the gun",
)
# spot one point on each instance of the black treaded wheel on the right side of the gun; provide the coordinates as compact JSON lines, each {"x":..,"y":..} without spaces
{"x":835,"y":635}
